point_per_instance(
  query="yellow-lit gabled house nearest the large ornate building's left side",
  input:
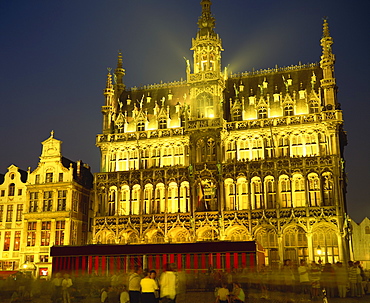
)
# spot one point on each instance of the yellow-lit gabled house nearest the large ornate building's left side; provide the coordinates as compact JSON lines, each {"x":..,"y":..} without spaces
{"x":57,"y":205}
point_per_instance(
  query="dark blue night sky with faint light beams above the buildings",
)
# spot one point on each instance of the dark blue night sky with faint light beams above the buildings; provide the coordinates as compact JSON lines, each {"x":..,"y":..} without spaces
{"x":55,"y":54}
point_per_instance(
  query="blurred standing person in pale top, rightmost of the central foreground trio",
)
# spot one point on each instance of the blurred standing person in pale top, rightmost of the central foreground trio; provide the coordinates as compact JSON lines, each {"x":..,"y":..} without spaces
{"x":168,"y":284}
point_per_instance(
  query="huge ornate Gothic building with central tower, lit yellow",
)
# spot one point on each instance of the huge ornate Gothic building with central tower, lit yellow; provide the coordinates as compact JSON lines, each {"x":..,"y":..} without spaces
{"x":249,"y":156}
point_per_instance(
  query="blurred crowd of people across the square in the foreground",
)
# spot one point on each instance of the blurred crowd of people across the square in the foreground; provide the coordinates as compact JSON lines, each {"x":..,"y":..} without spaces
{"x":229,"y":286}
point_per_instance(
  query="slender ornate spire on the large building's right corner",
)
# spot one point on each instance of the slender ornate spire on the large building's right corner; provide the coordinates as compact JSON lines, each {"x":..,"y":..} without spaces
{"x":328,"y":83}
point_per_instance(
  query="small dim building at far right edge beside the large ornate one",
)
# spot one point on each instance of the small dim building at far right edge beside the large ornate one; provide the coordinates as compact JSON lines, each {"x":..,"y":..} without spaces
{"x":361,"y":242}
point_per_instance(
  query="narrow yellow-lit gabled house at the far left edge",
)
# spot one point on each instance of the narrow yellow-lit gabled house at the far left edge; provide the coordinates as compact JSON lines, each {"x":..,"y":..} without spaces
{"x":12,"y":201}
